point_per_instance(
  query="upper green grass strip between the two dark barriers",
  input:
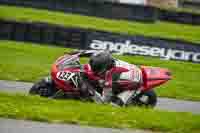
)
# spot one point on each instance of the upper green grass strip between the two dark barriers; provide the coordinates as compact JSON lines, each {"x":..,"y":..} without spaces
{"x":158,"y":29}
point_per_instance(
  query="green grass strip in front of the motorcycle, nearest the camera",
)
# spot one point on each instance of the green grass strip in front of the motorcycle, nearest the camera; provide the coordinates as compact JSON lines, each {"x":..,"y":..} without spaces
{"x":19,"y":106}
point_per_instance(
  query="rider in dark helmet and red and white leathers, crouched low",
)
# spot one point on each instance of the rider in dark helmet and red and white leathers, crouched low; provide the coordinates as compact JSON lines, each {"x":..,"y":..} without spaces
{"x":103,"y":65}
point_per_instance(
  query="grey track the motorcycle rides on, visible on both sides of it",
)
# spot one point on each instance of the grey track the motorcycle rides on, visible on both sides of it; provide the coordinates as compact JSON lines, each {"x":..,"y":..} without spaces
{"x":163,"y":103}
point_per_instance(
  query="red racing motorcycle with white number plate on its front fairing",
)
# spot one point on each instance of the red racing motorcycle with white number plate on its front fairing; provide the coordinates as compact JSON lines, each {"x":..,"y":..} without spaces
{"x":66,"y":73}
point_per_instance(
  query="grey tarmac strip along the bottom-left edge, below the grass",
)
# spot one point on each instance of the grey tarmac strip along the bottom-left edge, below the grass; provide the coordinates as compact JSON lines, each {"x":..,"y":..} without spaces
{"x":20,"y":126}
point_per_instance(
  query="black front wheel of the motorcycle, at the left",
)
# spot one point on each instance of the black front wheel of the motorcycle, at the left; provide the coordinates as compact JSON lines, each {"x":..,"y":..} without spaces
{"x":43,"y":88}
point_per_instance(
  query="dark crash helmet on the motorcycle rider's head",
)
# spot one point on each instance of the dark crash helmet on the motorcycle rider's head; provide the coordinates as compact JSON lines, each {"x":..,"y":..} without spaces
{"x":101,"y":61}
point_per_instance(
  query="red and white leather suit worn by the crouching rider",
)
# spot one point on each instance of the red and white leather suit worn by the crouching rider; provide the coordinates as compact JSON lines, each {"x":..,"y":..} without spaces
{"x":127,"y":73}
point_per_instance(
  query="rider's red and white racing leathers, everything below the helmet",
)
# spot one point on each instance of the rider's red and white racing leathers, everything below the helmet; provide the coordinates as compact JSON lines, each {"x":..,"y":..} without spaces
{"x":110,"y":80}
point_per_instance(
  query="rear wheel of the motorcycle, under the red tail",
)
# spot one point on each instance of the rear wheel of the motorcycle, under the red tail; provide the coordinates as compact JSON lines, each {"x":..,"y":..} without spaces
{"x":148,"y":98}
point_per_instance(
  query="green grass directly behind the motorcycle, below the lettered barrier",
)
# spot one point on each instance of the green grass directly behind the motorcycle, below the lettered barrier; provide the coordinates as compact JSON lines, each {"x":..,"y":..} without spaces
{"x":29,"y":62}
